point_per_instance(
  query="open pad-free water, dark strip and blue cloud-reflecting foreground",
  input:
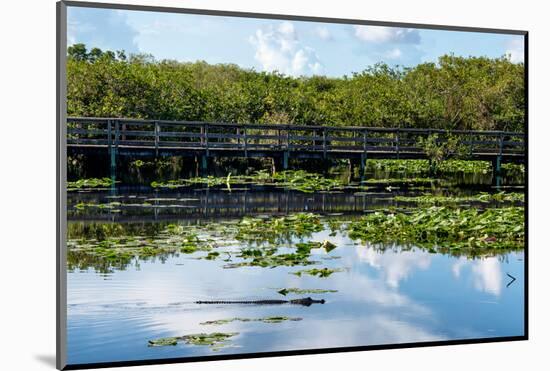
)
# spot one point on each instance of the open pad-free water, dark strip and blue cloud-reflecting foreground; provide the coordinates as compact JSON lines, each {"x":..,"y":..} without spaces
{"x":384,"y":297}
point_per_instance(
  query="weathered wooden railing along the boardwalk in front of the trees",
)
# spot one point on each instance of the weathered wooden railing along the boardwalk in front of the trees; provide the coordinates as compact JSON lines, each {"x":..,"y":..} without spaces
{"x":213,"y":139}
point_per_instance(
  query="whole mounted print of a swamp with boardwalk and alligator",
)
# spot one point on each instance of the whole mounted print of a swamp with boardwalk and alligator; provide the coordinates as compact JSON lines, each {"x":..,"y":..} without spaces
{"x":241,"y":184}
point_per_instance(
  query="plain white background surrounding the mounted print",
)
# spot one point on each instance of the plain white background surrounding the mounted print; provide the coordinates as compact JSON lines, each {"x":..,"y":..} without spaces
{"x":27,"y":181}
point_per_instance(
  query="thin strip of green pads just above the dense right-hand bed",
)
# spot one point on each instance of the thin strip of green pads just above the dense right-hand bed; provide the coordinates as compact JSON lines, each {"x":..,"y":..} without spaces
{"x":430,"y":199}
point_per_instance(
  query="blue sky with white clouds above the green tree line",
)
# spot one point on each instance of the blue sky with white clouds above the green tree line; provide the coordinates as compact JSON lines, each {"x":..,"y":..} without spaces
{"x":291,"y":47}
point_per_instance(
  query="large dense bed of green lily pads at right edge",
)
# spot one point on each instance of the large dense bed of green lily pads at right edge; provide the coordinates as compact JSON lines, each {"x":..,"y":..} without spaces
{"x":444,"y":228}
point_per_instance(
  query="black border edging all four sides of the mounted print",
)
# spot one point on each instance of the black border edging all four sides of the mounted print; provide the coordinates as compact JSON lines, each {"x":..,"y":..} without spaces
{"x":61,"y":115}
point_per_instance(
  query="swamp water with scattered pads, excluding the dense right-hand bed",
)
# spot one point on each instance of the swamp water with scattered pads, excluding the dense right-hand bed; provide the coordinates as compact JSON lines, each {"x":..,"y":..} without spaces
{"x":373,"y":294}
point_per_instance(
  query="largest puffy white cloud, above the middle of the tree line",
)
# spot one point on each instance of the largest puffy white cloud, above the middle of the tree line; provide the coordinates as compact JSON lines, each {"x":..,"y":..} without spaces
{"x":279,"y":49}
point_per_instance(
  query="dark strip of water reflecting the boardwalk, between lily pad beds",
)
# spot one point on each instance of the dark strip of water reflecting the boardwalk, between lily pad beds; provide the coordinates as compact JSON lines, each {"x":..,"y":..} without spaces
{"x":144,"y":204}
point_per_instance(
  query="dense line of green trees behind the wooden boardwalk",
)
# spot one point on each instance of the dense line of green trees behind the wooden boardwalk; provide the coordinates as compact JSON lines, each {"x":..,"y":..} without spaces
{"x":475,"y":93}
